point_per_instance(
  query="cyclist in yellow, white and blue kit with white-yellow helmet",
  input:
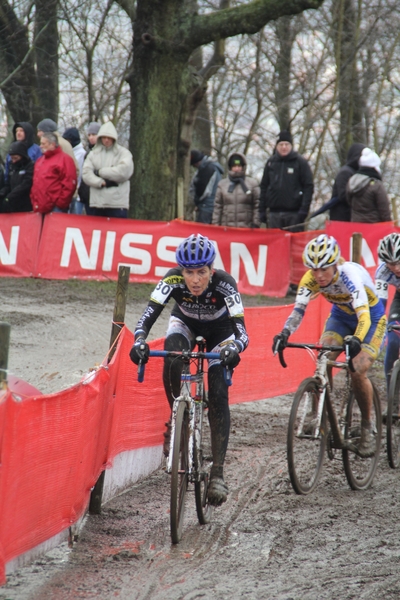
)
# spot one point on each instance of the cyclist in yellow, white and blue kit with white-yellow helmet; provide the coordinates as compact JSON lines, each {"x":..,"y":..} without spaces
{"x":357,"y":315}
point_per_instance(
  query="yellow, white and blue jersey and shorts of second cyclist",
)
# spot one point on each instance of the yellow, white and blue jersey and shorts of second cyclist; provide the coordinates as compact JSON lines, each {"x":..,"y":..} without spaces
{"x":356,"y":305}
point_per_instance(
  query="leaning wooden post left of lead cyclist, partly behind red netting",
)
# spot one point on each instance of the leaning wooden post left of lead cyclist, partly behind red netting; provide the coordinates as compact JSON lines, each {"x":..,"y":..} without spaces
{"x":118,"y":320}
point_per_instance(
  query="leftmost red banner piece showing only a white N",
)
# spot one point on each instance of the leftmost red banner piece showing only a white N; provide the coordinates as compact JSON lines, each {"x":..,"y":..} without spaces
{"x":19,"y":242}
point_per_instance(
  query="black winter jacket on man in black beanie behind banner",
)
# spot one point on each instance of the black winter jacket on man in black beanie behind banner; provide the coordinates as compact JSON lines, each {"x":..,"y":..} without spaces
{"x":287,"y":185}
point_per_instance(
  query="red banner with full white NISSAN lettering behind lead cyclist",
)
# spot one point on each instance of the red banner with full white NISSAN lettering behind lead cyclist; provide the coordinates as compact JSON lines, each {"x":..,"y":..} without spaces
{"x":95,"y":247}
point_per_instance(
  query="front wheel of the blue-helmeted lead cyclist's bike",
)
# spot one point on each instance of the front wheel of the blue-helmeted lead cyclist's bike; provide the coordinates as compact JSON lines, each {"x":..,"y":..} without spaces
{"x":179,"y":472}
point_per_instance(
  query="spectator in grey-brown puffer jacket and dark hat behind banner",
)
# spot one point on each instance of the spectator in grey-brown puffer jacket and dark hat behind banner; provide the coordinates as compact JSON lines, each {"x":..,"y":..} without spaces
{"x":237,"y":198}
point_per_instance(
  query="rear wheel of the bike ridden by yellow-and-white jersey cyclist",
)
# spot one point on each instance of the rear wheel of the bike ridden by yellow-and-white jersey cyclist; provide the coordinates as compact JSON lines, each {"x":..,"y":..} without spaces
{"x":360,"y":471}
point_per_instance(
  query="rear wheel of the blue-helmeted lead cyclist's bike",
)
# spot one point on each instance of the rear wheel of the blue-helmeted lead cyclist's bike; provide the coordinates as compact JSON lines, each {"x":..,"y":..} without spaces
{"x":204,"y":510}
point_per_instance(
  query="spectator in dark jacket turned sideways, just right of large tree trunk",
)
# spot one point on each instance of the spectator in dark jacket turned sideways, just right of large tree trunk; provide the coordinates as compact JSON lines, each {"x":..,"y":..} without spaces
{"x":203,"y":186}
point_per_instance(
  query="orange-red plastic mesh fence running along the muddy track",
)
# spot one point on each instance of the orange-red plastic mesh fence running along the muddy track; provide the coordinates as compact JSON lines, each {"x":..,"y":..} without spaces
{"x":54,"y":447}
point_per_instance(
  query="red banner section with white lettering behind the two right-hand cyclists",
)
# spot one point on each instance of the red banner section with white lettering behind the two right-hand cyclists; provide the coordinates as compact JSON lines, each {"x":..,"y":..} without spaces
{"x":371,"y":234}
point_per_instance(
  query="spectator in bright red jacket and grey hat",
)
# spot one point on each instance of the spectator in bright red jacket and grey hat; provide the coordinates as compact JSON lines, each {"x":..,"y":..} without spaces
{"x":54,"y":178}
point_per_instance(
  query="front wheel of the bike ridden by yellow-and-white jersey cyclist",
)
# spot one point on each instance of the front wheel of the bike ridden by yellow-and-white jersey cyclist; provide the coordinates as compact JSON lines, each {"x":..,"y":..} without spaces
{"x":306,"y":438}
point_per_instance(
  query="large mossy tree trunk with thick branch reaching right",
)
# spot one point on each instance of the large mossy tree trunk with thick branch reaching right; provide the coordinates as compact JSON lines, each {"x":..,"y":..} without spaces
{"x":165,"y":35}
